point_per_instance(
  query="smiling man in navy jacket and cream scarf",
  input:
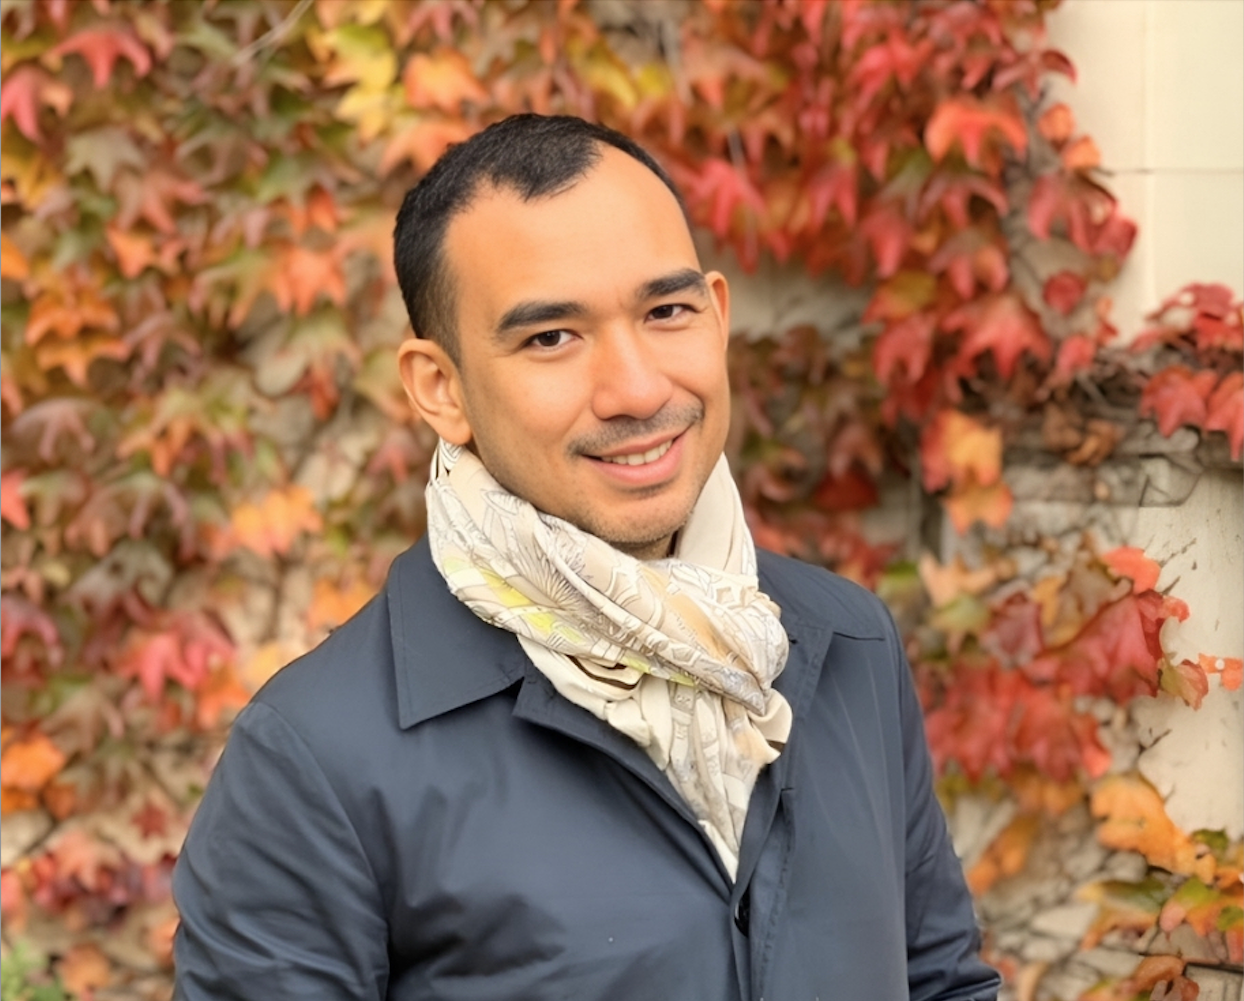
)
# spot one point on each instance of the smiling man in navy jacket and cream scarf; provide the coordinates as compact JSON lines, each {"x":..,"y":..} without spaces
{"x":578,"y":749}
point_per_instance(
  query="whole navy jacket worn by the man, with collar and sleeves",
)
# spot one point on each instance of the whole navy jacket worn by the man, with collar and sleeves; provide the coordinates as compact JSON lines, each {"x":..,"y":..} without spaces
{"x":411,"y":813}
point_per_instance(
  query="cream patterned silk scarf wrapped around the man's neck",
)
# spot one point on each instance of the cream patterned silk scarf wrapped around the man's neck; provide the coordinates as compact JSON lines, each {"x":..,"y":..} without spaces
{"x":680,"y":655}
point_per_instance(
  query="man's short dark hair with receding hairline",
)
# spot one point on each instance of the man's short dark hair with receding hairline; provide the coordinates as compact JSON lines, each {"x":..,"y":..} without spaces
{"x":532,"y":155}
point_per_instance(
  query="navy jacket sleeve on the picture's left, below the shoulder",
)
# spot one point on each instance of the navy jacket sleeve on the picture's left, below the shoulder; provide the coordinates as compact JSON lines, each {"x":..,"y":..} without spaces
{"x":277,"y":897}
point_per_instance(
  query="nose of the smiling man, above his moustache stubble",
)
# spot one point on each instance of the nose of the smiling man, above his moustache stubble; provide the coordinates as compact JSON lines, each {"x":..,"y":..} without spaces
{"x":630,"y":379}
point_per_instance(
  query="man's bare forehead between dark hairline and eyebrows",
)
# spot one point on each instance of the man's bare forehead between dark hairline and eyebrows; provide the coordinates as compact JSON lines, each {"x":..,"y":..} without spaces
{"x":595,"y":243}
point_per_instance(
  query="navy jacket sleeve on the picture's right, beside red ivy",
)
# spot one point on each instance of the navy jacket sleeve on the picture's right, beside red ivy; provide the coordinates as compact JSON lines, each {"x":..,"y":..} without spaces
{"x":944,"y":941}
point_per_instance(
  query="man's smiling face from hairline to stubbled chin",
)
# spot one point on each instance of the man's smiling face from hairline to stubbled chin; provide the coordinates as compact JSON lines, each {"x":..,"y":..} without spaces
{"x":593,"y":367}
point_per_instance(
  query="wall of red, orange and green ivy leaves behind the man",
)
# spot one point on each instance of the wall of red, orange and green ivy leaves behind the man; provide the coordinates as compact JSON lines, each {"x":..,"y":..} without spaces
{"x":208,"y":461}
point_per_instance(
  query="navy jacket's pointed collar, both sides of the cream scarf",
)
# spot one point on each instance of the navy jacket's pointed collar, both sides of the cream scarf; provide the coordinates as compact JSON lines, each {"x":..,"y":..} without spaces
{"x":446,"y":658}
